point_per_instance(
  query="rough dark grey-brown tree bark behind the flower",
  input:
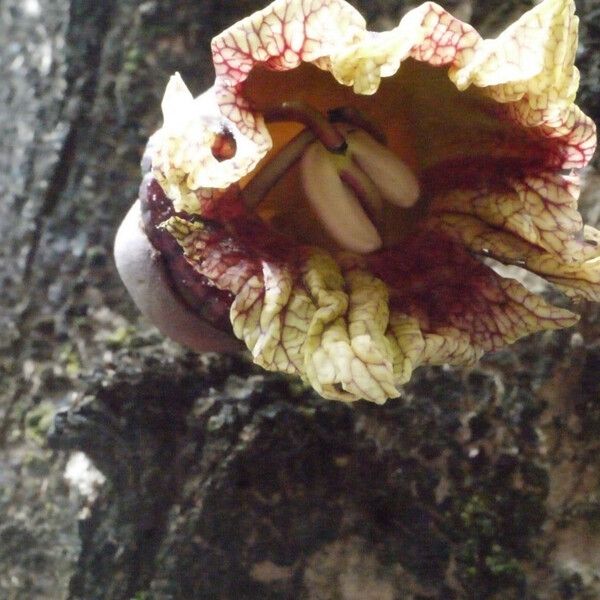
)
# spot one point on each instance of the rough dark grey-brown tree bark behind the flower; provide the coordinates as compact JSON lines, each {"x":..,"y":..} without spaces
{"x":210,"y":478}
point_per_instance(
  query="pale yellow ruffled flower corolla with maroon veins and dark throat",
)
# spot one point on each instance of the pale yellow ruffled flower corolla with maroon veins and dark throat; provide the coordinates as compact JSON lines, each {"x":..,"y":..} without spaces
{"x":334,"y":197}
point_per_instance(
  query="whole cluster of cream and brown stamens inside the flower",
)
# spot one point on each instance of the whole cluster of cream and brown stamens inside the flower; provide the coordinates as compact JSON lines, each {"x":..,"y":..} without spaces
{"x":347,"y":174}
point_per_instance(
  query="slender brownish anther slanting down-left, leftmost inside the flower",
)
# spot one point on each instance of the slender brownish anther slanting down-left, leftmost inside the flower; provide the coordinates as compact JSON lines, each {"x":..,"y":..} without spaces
{"x":260,"y":185}
